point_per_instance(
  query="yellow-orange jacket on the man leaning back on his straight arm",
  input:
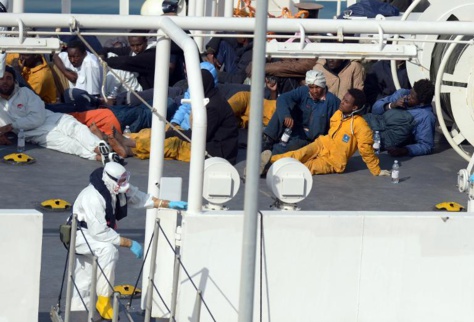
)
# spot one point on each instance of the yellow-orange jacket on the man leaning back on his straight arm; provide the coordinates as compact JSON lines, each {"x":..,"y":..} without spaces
{"x":345,"y":136}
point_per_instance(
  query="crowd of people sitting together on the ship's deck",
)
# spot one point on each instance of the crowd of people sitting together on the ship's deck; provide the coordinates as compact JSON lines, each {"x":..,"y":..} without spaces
{"x":59,"y":104}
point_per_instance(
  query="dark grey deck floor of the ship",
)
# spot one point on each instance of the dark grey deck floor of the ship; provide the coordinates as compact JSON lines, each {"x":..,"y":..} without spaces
{"x":425,"y":181}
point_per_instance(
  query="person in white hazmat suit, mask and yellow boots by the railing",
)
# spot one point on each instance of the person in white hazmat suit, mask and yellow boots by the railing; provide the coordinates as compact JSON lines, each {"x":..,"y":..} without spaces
{"x":98,"y":206}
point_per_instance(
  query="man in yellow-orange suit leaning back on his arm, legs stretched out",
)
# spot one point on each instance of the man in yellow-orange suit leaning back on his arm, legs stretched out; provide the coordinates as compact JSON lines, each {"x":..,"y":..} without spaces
{"x":330,"y":153}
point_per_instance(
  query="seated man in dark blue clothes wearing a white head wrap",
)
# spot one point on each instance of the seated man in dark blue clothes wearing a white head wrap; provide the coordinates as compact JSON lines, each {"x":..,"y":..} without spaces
{"x":305,"y":110}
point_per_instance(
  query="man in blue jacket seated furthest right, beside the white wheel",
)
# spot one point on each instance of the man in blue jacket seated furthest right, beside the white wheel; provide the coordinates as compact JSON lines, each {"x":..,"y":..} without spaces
{"x":417,"y":102}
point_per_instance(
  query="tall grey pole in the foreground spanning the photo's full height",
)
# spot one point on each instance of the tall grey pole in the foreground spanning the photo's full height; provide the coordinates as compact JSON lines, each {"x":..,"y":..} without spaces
{"x":249,"y":239}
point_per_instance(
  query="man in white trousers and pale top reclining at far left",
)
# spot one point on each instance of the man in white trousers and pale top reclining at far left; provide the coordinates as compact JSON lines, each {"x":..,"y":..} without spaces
{"x":21,"y":108}
